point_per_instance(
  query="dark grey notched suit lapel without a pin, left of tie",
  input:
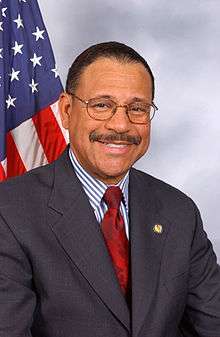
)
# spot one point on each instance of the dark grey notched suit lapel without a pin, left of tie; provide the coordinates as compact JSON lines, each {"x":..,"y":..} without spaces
{"x":72,"y":220}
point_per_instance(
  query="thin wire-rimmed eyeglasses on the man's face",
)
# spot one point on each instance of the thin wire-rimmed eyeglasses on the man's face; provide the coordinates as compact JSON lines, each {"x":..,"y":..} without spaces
{"x":102,"y":108}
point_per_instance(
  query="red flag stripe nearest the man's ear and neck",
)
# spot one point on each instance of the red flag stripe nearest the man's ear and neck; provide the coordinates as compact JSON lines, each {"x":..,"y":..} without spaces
{"x":49,"y":133}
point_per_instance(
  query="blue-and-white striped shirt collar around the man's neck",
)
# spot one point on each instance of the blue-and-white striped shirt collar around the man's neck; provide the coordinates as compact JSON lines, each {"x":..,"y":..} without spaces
{"x":95,"y":188}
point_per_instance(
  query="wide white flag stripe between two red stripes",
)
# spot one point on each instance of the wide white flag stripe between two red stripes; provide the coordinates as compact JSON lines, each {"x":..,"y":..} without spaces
{"x":28,"y":145}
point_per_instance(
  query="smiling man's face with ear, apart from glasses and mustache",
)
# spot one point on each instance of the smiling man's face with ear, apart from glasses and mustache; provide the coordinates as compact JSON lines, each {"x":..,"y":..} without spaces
{"x":123,"y":83}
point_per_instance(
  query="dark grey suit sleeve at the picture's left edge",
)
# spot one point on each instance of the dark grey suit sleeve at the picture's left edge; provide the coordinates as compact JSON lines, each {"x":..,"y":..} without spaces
{"x":17,"y":298}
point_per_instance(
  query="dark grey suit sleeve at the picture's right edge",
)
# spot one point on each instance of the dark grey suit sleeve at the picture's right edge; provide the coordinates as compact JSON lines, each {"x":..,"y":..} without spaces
{"x":202,"y":315}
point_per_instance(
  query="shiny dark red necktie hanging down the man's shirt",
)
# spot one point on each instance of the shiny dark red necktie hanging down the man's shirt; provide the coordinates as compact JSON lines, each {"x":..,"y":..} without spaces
{"x":113,"y":229}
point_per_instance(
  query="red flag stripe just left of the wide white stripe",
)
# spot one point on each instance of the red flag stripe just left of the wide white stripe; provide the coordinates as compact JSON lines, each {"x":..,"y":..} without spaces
{"x":15,"y":164}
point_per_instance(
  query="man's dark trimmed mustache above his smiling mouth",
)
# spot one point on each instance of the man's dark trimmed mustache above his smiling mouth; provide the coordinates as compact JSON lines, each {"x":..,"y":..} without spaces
{"x":108,"y":138}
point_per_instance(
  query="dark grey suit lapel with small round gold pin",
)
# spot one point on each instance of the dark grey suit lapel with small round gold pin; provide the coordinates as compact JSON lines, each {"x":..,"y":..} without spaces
{"x":147,"y":241}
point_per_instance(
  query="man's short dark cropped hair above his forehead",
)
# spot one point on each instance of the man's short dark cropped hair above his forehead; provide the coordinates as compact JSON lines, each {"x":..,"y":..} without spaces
{"x":115,"y":50}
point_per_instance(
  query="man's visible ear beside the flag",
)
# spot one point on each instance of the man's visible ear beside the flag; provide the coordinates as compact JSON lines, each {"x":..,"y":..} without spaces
{"x":65,"y":107}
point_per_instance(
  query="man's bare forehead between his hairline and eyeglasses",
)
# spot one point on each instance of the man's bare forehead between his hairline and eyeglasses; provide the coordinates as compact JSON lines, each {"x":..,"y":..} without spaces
{"x":116,"y":77}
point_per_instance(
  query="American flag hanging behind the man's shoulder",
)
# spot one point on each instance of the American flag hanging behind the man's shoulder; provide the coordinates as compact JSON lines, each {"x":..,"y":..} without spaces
{"x":30,"y":128}
